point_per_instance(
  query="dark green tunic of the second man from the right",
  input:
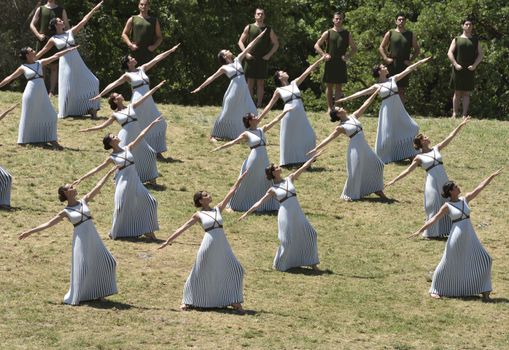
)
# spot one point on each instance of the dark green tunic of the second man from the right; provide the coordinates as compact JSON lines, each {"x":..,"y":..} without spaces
{"x":400,"y":46}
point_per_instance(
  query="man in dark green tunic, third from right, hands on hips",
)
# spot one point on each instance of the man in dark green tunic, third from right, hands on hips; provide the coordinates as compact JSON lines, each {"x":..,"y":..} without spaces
{"x":337,"y":41}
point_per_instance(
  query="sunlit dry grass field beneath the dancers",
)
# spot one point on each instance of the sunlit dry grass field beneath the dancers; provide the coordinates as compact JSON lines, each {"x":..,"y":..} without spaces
{"x":374,"y":295}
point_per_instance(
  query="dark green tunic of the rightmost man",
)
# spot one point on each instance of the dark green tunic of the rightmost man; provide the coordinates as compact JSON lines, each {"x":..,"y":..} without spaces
{"x":465,"y":54}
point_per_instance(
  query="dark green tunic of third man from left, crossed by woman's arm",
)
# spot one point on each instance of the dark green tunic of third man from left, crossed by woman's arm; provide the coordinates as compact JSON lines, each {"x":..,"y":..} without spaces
{"x":257,"y":68}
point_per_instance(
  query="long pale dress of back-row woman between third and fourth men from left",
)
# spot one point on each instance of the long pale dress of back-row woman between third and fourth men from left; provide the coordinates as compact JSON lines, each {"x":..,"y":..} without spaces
{"x":297,"y":137}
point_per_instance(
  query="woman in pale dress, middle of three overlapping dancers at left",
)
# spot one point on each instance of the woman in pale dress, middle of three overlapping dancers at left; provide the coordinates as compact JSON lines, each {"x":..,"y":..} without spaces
{"x":144,"y":155}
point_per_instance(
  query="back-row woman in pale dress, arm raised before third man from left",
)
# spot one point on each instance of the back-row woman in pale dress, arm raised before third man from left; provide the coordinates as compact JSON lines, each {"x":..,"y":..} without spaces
{"x":237,"y":101}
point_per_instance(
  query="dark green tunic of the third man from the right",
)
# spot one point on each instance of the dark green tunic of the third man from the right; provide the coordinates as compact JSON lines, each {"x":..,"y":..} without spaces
{"x":335,"y":68}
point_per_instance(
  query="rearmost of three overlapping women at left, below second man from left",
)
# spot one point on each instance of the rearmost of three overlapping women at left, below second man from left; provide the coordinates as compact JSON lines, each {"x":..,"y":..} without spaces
{"x":140,"y":84}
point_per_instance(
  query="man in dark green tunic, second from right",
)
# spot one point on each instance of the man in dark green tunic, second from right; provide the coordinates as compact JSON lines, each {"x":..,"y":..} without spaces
{"x":396,"y":48}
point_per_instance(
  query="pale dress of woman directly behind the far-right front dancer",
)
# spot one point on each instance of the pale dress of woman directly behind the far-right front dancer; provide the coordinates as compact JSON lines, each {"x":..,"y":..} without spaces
{"x":436,"y":177}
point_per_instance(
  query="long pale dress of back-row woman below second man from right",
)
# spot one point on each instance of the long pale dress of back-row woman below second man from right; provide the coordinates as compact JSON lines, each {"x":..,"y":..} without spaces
{"x":396,"y":129}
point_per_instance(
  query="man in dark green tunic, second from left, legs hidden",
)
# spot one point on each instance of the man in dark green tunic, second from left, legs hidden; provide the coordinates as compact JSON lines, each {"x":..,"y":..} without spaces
{"x":145,"y":33}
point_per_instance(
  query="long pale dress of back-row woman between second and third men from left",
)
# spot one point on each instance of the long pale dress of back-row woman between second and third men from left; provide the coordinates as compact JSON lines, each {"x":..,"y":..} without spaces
{"x":237,"y":102}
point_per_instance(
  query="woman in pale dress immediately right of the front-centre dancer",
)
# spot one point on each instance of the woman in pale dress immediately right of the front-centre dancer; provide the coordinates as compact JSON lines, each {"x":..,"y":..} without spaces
{"x":298,"y":238}
